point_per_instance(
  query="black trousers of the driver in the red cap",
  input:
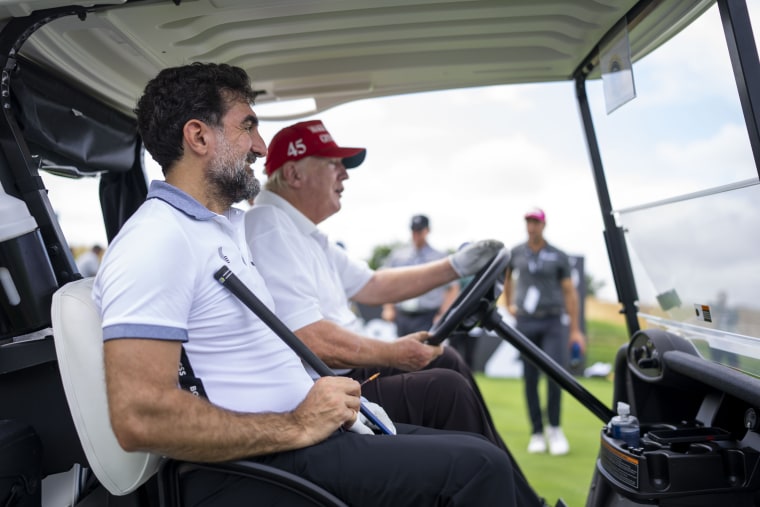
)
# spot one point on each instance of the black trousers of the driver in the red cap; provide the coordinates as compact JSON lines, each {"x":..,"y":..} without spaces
{"x":444,"y":395}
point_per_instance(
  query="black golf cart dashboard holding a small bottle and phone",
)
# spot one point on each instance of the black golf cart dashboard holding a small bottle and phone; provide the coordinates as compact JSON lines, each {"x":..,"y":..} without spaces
{"x":698,"y":433}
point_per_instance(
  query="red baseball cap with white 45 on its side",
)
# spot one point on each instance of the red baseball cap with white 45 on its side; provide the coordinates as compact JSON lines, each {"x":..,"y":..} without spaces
{"x":308,"y":139}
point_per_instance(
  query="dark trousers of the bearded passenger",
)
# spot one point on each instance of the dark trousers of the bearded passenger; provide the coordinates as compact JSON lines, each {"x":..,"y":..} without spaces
{"x":417,"y":467}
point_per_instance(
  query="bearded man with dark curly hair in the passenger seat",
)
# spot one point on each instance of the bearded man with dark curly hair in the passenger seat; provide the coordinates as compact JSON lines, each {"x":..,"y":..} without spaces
{"x":252,"y":397}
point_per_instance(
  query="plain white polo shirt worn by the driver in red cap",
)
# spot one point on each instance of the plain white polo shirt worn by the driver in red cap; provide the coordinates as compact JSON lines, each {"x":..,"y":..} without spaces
{"x":309,"y":278}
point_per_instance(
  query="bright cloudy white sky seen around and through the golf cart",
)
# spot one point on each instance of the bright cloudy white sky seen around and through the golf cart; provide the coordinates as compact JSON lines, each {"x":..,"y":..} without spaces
{"x":475,"y":160}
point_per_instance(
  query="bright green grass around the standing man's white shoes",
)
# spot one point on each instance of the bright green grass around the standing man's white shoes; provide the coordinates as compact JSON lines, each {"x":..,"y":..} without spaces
{"x":567,"y":477}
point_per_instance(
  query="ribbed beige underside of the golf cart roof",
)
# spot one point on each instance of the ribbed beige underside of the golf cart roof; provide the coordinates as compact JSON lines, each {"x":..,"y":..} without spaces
{"x":335,"y":51}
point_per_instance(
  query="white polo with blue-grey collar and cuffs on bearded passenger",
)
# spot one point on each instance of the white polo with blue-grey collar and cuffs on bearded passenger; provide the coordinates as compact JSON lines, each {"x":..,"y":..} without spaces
{"x":157,"y":282}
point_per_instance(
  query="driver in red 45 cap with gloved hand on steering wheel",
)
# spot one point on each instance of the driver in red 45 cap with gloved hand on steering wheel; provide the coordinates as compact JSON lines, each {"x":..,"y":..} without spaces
{"x":311,"y":280}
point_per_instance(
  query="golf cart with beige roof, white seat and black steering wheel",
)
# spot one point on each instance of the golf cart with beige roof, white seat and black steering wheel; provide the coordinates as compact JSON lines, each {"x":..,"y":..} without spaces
{"x":683,"y":257}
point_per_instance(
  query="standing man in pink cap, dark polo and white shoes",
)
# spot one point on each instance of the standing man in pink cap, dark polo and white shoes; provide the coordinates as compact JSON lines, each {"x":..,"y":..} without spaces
{"x":543,"y":298}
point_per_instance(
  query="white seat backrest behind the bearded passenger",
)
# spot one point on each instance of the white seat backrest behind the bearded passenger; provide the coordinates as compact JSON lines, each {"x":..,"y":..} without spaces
{"x":79,"y":346}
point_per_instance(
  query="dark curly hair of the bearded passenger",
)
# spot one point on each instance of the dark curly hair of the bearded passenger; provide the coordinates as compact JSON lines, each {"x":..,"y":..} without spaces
{"x":201,"y":91}
